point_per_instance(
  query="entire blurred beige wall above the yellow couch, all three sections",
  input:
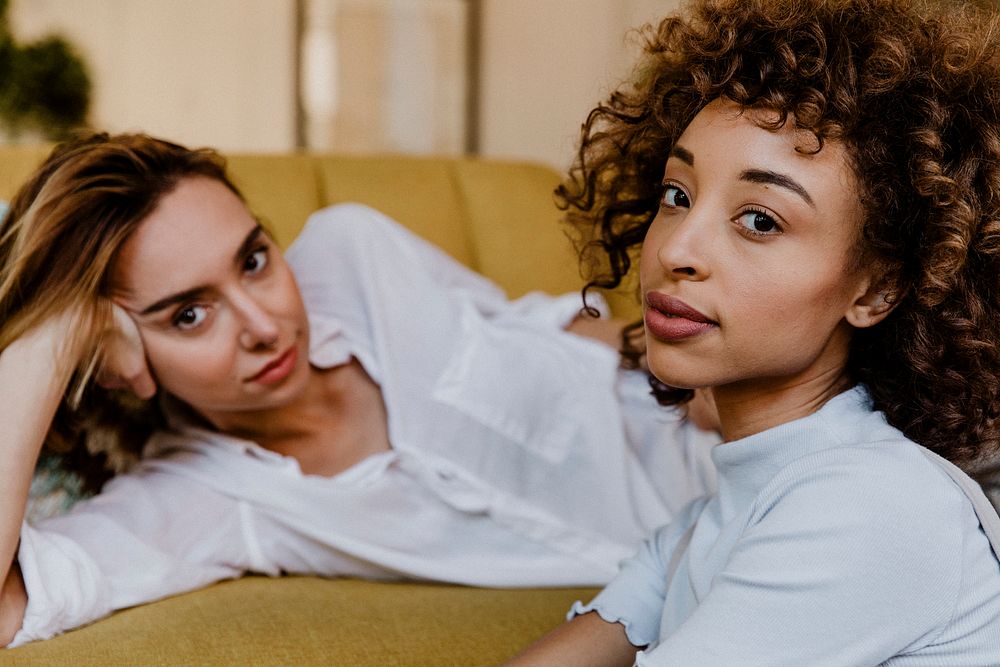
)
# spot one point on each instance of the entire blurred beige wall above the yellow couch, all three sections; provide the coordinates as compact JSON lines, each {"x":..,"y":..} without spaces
{"x":222,"y":72}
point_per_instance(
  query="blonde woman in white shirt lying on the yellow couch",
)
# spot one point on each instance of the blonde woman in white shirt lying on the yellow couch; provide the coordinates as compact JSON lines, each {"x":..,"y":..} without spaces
{"x":366,"y":407}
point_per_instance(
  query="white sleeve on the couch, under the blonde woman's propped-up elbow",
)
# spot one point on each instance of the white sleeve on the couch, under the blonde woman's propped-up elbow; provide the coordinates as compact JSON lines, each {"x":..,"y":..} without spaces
{"x":145,"y":537}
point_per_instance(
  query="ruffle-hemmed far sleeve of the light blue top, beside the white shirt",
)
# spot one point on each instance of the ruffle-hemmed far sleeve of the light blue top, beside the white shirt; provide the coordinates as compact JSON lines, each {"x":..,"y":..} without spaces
{"x":635,"y":596}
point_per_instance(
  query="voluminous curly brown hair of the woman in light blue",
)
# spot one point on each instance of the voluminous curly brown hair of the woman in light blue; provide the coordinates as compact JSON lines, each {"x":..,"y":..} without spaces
{"x":913,"y":92}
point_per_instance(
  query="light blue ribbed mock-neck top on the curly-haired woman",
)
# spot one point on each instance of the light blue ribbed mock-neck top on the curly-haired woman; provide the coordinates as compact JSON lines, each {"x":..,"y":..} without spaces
{"x":832,"y":541}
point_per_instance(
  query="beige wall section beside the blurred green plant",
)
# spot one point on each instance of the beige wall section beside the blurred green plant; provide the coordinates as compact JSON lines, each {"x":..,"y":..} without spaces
{"x":202,"y":72}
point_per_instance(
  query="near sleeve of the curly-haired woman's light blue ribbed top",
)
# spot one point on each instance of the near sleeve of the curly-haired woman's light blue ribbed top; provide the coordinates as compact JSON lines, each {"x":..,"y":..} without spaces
{"x":846,"y":566}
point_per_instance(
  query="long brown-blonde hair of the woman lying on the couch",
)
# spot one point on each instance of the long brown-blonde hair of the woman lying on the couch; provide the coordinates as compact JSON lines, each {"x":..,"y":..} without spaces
{"x":58,"y":242}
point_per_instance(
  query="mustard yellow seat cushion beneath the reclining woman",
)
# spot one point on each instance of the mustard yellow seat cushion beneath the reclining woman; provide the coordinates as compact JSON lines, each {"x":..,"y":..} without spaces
{"x":307,"y":620}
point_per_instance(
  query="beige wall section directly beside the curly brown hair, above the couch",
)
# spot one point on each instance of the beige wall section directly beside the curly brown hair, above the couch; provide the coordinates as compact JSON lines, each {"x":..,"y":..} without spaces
{"x":546,"y":63}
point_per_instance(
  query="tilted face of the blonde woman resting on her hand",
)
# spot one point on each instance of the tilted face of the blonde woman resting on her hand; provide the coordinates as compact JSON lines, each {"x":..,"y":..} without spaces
{"x":218,"y":310}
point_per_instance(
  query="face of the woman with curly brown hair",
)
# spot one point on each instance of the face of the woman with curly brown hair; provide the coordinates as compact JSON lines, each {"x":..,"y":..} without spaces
{"x":746,"y":270}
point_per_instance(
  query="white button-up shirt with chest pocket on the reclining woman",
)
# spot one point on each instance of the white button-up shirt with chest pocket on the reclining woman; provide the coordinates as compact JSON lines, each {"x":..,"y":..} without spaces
{"x":521,"y":454}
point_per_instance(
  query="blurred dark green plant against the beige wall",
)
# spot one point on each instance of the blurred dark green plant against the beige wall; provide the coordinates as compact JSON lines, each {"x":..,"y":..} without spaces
{"x":44,"y":85}
